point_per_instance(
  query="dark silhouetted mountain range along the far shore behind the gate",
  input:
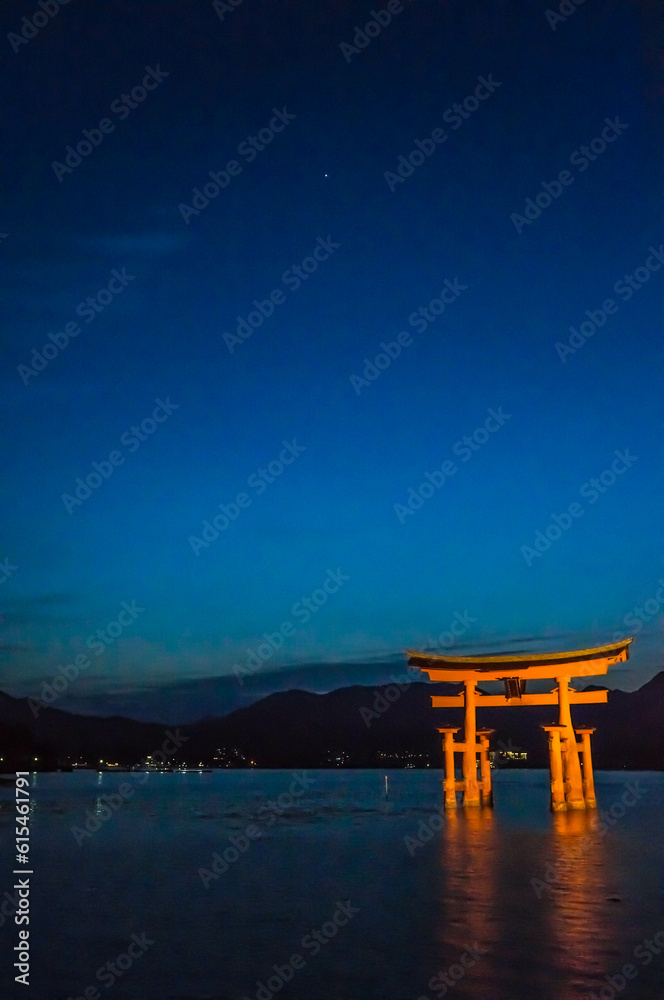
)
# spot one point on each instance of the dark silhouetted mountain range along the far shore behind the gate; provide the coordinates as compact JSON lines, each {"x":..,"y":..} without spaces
{"x":353,"y":726}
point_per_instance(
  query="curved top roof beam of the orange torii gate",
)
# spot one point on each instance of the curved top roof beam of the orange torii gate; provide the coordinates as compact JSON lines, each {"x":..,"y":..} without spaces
{"x":572,"y":663}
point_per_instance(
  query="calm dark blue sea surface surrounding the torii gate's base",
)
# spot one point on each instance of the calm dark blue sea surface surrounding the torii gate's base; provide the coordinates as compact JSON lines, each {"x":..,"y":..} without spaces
{"x":508,"y":904}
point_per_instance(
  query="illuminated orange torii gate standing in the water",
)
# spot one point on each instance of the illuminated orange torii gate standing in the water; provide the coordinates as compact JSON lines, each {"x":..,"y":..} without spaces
{"x":571,"y":788}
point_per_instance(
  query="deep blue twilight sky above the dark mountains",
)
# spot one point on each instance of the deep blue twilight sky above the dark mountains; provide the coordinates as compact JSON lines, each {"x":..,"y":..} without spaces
{"x":323,"y":176}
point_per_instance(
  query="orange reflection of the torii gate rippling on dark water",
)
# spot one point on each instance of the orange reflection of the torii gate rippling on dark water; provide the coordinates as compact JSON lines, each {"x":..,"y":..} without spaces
{"x":550,"y":945}
